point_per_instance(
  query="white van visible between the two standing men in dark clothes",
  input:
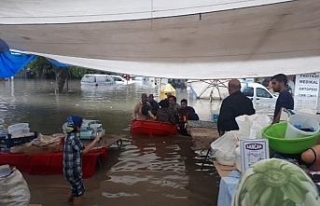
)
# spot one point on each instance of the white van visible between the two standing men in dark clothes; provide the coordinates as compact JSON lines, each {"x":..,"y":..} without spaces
{"x":262,"y":98}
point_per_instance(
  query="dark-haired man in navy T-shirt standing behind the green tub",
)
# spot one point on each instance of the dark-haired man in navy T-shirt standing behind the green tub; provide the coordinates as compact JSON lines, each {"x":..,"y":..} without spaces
{"x":285,"y":99}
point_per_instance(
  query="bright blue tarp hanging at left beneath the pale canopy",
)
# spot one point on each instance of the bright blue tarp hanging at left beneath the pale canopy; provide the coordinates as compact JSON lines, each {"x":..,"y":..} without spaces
{"x":11,"y":63}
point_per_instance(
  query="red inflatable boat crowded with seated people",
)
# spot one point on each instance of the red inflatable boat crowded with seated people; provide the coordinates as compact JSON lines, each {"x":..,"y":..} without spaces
{"x":155,"y":128}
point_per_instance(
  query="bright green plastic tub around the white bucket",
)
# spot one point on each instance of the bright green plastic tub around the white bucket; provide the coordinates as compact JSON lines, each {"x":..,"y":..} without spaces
{"x":275,"y":134}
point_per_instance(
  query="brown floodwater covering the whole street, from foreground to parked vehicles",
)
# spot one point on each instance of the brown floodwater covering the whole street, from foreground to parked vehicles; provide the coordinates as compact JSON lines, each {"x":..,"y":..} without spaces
{"x":144,"y":171}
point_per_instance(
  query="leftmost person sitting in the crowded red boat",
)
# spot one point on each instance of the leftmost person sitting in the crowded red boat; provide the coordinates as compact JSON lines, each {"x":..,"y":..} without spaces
{"x":142,"y":110}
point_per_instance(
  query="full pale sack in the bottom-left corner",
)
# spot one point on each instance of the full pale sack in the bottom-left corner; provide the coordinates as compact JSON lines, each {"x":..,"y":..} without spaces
{"x":14,"y":190}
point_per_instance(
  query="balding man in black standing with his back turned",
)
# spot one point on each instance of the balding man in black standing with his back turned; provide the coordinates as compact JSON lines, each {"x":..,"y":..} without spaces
{"x":236,"y":104}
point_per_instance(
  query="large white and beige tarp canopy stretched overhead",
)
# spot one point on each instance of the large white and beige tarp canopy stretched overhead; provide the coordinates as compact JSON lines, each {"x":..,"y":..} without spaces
{"x":205,"y":39}
